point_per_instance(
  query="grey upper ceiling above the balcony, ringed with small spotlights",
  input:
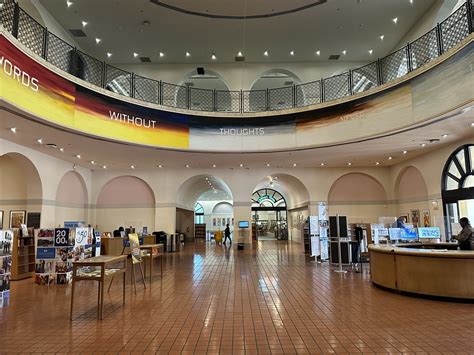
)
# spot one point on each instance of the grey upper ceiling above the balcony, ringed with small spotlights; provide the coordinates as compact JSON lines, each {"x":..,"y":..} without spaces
{"x":146,"y":28}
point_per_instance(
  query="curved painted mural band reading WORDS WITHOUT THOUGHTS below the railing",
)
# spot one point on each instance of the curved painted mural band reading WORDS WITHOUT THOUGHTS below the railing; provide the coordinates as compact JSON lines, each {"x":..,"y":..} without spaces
{"x":77,"y":106}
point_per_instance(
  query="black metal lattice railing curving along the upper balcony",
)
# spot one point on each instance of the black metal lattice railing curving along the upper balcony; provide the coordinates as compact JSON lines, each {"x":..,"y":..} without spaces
{"x":69,"y":59}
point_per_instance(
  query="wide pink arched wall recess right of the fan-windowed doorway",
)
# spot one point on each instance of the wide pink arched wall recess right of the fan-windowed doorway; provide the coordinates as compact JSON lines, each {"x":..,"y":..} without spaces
{"x":360,"y":197}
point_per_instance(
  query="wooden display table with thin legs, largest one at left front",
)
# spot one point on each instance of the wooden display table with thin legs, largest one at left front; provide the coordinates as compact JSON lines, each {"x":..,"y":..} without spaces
{"x":98,"y":269}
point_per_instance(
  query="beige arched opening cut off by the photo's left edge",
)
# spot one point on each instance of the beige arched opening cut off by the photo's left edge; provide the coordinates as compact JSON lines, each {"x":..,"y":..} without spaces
{"x":21,"y":191}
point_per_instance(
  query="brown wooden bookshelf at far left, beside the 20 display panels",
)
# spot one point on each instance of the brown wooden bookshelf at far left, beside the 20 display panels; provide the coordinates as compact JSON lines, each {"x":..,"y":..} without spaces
{"x":23,"y":255}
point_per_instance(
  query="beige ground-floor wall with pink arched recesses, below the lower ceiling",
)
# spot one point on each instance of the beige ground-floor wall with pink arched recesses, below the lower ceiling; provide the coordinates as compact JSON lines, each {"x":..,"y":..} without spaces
{"x":149,"y":197}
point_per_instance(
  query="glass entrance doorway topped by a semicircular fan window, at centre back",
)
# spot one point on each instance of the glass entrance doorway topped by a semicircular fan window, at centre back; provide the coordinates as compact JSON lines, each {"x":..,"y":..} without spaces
{"x":269,"y":215}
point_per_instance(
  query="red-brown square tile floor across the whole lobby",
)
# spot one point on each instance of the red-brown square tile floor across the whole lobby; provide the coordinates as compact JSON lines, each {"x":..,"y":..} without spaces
{"x":216,"y":300}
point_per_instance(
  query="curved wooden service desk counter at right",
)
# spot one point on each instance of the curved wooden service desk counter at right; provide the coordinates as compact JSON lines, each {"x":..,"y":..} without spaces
{"x":434,"y":272}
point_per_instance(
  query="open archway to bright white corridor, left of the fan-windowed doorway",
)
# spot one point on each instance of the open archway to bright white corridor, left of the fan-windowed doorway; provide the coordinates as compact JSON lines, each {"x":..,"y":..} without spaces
{"x":212,"y":209}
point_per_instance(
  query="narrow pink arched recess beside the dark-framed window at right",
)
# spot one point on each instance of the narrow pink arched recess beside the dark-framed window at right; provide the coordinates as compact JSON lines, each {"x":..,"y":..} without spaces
{"x":412,"y":197}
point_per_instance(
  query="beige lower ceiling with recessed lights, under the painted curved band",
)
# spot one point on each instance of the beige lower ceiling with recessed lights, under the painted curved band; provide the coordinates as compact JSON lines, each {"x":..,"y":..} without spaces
{"x":119,"y":156}
